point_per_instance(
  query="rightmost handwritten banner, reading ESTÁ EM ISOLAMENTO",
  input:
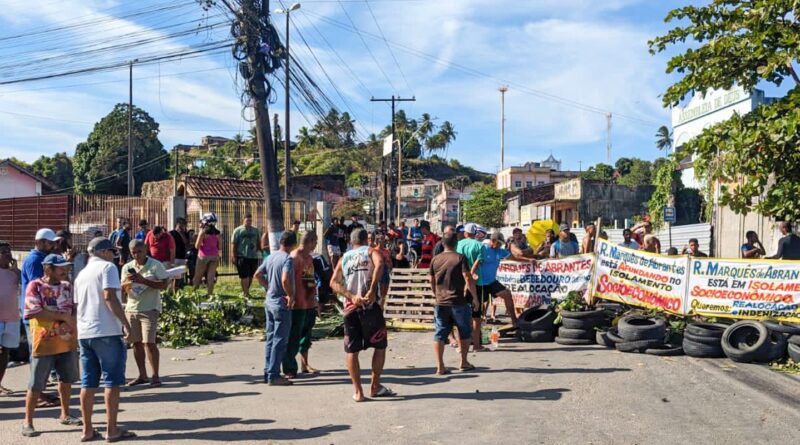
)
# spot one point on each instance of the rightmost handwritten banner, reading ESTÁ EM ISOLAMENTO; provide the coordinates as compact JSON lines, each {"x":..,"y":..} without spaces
{"x":744,"y":289}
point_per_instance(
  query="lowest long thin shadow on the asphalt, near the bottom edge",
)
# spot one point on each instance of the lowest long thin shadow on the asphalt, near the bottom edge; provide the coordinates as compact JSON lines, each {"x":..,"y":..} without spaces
{"x":256,"y":435}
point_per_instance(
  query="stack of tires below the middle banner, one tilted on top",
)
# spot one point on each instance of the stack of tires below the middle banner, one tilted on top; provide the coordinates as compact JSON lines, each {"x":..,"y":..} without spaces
{"x":637,"y":333}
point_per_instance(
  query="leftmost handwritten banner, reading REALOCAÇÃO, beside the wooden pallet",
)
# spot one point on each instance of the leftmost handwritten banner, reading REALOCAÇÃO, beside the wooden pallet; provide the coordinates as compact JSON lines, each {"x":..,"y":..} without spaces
{"x":532,"y":285}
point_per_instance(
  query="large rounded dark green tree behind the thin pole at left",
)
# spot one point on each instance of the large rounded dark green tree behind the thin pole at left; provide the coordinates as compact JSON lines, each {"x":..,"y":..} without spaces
{"x":100,"y":164}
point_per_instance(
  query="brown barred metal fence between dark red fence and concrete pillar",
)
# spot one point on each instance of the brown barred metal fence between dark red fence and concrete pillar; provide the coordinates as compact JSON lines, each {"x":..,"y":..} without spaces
{"x":98,"y":213}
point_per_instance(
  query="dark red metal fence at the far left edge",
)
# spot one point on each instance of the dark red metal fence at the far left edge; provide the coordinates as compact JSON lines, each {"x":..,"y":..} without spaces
{"x":20,"y":218}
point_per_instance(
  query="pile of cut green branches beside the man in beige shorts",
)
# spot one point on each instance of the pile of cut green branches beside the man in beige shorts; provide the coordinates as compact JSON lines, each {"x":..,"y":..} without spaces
{"x":184,"y":321}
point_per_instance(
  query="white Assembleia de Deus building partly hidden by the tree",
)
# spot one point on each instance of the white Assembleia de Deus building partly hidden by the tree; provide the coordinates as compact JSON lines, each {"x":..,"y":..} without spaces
{"x":704,"y":111}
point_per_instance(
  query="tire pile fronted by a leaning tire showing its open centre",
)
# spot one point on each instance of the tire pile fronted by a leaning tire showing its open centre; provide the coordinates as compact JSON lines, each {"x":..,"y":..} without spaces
{"x":750,"y":341}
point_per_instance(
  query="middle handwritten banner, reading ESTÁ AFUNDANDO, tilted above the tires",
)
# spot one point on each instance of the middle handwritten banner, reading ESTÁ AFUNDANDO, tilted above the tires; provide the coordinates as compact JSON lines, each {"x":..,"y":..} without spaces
{"x":640,"y":278}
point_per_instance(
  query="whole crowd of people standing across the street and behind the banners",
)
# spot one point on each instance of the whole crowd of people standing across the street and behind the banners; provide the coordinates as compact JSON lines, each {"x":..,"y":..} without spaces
{"x":80,"y":315}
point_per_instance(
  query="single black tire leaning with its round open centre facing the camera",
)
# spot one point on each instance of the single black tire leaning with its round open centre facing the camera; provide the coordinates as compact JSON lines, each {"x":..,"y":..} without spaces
{"x":747,"y":341}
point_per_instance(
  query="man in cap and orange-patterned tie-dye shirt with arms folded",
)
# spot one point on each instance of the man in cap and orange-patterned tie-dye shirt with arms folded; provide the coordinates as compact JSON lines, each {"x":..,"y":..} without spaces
{"x":50,"y":310}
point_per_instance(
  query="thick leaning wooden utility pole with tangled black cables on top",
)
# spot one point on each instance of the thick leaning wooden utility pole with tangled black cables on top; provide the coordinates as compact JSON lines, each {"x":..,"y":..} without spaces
{"x":256,"y":88}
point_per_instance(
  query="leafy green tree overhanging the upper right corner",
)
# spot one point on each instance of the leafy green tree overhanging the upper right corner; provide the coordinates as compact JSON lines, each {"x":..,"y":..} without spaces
{"x":744,"y":43}
